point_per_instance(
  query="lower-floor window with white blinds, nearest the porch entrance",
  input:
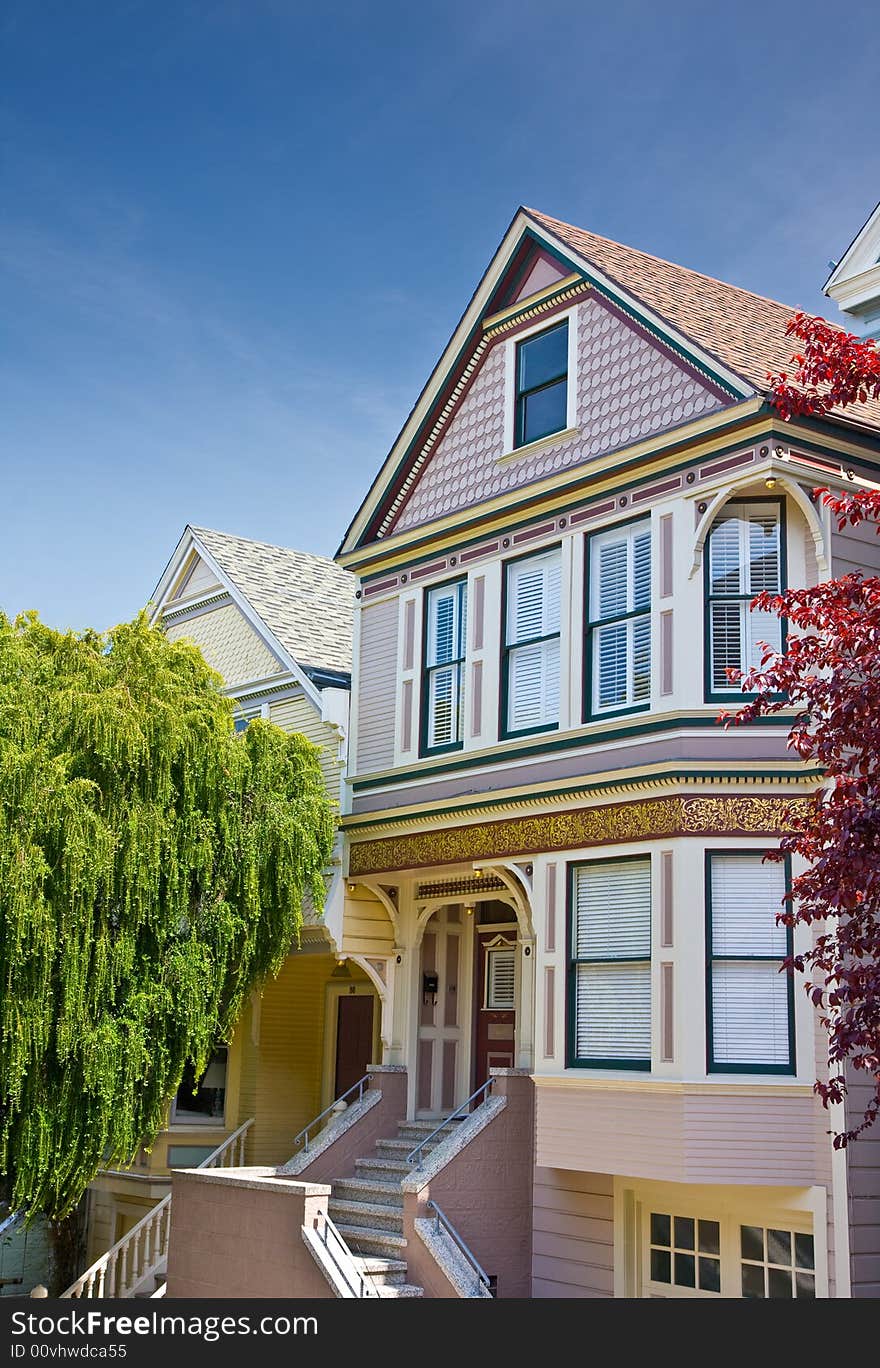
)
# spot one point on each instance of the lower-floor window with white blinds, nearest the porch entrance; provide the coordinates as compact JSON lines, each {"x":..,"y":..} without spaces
{"x":611,"y":965}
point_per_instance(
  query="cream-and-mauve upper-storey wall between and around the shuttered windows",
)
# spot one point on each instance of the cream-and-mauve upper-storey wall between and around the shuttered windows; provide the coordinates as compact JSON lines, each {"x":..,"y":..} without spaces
{"x":389,"y":685}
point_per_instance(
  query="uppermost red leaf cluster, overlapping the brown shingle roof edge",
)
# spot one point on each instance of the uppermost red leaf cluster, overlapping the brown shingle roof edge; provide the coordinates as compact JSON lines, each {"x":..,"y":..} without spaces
{"x":836,"y":369}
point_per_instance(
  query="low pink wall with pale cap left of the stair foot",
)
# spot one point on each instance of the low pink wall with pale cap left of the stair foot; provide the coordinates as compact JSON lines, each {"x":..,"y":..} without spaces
{"x":239,"y":1236}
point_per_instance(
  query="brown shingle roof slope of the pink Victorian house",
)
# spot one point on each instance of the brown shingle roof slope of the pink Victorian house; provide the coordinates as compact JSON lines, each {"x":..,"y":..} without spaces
{"x":742,"y":330}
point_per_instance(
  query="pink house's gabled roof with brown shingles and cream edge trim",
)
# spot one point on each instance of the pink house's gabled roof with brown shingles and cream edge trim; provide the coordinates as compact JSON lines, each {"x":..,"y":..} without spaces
{"x":740,"y":333}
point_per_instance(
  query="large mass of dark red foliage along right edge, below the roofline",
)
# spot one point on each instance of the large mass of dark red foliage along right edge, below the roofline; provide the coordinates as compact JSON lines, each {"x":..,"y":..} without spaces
{"x":830,"y":674}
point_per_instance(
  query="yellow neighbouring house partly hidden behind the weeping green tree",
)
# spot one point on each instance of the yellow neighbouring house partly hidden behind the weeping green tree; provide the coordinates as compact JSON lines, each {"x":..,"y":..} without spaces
{"x":277,"y":624}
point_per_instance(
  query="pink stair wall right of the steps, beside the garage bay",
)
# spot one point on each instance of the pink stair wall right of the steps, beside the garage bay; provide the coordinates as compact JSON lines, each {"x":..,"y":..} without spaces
{"x":487,"y":1192}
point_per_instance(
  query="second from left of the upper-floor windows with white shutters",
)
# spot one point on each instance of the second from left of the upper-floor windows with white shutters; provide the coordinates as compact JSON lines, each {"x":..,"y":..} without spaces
{"x":533,"y":644}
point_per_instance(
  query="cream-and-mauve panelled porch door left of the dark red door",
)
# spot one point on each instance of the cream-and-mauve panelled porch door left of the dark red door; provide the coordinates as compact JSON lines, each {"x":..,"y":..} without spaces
{"x":444,"y":1013}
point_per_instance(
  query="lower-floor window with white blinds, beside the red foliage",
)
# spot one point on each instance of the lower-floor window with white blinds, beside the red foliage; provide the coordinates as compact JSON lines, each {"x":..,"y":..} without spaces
{"x":751,"y":998}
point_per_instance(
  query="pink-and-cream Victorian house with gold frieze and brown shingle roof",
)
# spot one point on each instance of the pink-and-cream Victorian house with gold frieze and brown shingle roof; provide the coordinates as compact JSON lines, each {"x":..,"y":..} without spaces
{"x":555,"y":568}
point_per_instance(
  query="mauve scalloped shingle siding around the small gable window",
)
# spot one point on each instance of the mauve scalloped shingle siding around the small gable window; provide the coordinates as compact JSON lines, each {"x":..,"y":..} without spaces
{"x":629,"y":391}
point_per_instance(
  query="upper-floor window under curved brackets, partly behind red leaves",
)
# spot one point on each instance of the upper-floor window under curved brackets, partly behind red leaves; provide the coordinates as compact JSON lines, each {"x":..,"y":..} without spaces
{"x":744,"y":557}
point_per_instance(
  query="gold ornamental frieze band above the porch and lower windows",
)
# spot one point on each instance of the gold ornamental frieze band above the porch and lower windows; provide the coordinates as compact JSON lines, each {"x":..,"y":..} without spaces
{"x":653,"y":819}
